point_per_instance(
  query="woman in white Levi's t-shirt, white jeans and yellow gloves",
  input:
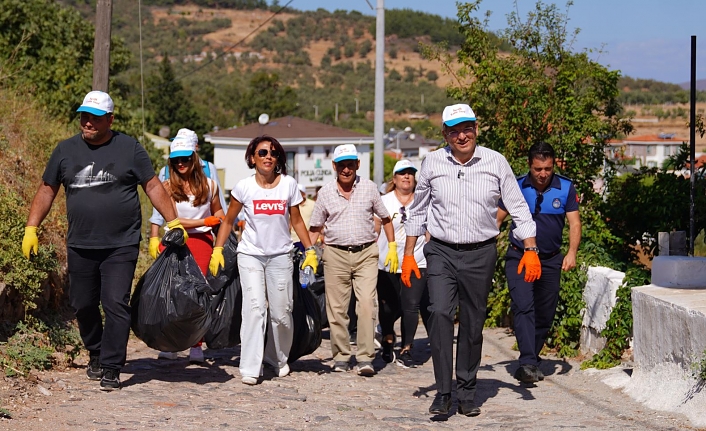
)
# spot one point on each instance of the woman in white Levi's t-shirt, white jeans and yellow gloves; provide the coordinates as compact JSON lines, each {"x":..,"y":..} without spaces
{"x":269,"y":200}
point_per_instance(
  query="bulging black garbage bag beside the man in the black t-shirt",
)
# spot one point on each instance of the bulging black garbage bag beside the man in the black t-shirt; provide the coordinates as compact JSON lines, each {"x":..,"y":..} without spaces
{"x":171,"y":308}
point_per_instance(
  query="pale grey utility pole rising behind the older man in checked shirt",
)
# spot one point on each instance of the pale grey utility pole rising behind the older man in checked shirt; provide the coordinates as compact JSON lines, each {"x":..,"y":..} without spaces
{"x":379,"y":146}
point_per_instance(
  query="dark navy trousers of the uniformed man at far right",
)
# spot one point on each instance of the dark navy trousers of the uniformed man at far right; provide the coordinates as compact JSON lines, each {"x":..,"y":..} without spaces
{"x":533,"y":304}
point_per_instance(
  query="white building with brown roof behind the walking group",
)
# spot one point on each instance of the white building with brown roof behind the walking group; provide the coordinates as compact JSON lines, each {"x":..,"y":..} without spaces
{"x":308,"y":145}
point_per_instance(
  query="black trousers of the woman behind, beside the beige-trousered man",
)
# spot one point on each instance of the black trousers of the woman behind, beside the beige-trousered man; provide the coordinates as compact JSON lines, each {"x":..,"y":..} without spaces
{"x":396,"y":300}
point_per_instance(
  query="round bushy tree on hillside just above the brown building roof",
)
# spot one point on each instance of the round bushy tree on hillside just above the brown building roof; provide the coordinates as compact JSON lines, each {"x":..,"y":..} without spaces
{"x":267,"y":95}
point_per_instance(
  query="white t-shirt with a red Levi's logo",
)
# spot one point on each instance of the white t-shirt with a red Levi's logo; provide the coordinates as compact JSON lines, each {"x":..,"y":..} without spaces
{"x":266,"y":215}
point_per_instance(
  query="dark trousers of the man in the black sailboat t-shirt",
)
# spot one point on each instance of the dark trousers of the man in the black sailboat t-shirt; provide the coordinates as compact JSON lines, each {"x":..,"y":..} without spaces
{"x":103,"y":277}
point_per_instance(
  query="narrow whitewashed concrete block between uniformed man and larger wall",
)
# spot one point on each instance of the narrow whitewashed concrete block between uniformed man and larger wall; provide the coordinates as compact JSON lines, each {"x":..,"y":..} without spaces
{"x":599,"y":296}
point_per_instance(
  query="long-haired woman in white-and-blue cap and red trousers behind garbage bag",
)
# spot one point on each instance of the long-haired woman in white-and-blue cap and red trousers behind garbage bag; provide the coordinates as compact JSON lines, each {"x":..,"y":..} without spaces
{"x":198,"y":207}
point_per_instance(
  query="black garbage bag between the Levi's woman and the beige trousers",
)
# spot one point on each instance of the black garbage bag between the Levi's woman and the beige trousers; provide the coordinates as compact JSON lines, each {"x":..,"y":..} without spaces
{"x":306,"y":316}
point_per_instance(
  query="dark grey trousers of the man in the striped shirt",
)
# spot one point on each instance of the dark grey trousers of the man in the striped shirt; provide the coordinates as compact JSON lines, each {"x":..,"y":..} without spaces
{"x":458,"y":279}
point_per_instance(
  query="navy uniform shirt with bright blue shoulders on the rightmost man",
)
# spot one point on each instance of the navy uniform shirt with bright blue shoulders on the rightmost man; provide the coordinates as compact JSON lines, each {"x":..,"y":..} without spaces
{"x":548,"y":210}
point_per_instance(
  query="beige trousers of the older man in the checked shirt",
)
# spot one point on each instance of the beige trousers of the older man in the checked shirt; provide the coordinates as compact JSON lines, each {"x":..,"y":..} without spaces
{"x":357,"y":272}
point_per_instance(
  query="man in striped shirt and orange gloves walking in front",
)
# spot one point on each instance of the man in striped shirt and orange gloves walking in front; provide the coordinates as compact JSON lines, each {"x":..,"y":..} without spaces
{"x":456,"y":201}
